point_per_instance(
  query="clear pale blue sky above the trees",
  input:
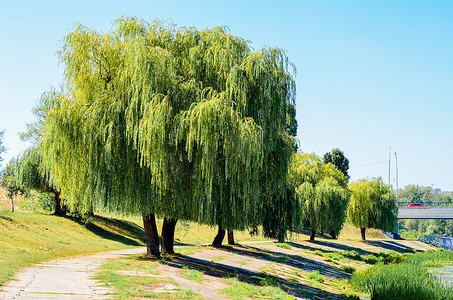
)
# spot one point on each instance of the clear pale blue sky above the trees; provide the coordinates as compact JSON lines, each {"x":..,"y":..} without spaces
{"x":370,"y":74}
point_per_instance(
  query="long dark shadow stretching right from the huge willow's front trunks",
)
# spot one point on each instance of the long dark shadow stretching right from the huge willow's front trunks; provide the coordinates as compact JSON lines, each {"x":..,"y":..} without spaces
{"x":220,"y":270}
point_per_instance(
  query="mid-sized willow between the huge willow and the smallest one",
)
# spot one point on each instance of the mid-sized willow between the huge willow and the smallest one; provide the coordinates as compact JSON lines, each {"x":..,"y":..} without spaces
{"x":322,"y":193}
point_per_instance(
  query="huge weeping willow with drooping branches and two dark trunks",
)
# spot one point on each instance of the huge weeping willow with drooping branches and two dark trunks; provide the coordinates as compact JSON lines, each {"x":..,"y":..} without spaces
{"x":175,"y":122}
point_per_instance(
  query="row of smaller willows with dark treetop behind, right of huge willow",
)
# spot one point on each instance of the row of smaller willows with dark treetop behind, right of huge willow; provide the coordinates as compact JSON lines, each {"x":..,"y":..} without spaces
{"x":326,"y":199}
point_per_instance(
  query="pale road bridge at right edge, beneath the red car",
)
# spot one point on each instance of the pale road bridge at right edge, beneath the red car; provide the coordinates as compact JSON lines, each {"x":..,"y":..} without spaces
{"x":433,"y":210}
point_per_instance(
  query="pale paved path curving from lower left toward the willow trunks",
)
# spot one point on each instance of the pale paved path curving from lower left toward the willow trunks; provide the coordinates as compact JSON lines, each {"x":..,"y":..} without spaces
{"x":68,"y":278}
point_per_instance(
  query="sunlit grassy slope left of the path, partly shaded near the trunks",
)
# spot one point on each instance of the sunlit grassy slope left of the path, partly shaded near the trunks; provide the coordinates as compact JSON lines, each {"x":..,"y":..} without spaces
{"x":29,"y":238}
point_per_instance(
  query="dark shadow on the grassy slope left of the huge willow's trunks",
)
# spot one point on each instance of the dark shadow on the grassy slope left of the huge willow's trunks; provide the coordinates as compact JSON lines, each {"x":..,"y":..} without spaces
{"x":121,"y":231}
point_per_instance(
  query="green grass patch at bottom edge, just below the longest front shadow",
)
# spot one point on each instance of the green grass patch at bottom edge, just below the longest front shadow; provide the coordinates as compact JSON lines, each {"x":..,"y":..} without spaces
{"x":239,"y":290}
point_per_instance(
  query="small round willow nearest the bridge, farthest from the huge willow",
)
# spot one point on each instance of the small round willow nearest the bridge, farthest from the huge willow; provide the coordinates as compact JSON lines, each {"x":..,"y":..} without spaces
{"x":372,"y":205}
